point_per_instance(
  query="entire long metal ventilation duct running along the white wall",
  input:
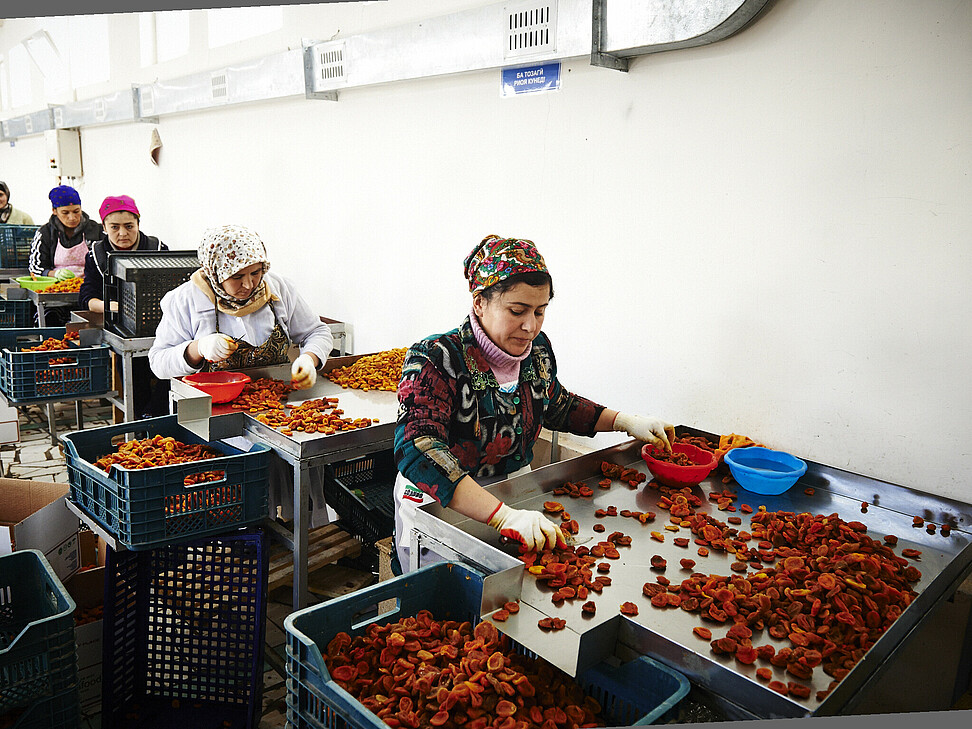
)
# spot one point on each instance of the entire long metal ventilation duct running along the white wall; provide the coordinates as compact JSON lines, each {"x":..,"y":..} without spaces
{"x":493,"y":36}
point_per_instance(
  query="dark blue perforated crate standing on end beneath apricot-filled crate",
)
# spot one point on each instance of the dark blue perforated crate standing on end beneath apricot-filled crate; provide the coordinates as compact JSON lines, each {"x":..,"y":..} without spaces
{"x":184,"y":634}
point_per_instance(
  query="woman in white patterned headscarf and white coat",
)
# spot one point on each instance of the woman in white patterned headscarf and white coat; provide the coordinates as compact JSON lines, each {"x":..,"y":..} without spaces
{"x":235,"y":314}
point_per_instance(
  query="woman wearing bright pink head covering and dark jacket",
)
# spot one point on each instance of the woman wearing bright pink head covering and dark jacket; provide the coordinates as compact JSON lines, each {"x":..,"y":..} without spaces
{"x":120,"y":218}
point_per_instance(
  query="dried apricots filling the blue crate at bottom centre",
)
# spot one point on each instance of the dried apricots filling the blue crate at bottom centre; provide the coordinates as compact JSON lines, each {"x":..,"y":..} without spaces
{"x":422,"y":672}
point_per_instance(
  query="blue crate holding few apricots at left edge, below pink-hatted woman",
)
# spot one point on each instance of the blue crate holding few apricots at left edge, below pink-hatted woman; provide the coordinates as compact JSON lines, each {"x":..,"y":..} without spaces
{"x":30,"y":376}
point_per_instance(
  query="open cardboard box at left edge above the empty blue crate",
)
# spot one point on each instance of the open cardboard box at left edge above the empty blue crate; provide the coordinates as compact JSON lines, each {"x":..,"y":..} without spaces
{"x":33,"y":515}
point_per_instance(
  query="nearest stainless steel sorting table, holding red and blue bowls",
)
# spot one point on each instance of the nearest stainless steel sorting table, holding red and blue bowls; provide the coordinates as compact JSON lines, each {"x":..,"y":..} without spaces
{"x":666,"y":635}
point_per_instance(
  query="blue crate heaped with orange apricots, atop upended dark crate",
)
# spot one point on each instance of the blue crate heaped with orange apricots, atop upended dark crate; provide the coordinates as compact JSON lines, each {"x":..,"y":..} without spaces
{"x":152,"y":507}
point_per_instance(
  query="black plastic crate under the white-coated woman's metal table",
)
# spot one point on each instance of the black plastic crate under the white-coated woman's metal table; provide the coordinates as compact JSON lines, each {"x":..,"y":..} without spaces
{"x":361,"y":491}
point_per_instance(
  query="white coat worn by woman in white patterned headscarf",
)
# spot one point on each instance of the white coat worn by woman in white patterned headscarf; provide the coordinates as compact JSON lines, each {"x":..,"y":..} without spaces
{"x":187,"y":314}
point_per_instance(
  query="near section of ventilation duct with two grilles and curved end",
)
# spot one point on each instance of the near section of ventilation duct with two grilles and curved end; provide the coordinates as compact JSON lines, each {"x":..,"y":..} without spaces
{"x":535,"y":31}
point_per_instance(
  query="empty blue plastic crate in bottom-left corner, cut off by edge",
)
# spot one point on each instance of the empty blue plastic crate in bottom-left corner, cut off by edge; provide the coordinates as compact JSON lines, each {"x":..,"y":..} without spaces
{"x":37,"y":650}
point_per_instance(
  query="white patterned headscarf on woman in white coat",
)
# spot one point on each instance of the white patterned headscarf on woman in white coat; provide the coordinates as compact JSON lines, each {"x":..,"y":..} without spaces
{"x":225,"y":251}
